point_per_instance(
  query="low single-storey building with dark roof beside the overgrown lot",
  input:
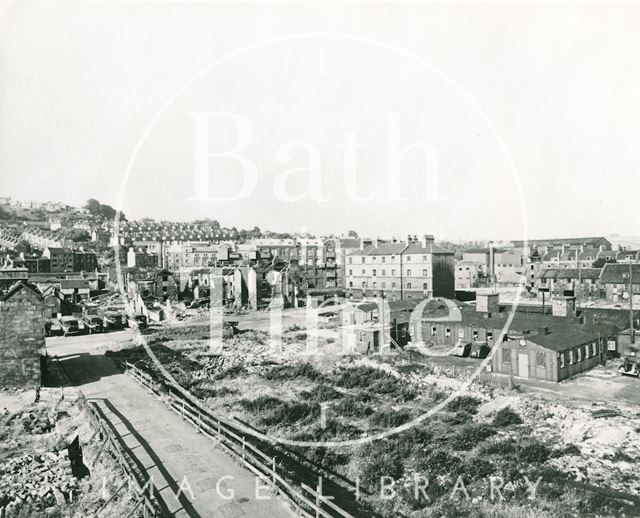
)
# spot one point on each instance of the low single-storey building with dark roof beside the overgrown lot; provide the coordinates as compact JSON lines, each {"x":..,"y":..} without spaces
{"x":534,"y":344}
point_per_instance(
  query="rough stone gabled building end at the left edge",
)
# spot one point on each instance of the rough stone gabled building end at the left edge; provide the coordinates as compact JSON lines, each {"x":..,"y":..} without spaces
{"x":21,"y":339}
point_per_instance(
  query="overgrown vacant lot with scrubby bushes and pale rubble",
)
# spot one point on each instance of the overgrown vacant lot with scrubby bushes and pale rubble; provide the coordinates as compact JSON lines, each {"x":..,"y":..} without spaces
{"x":454,"y":463}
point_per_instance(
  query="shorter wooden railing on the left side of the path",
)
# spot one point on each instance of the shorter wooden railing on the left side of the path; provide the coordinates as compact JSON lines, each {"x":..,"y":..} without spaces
{"x":148,"y":501}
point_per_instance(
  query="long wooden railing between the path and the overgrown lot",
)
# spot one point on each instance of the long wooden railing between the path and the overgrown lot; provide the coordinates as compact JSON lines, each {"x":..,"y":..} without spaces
{"x":307,"y":501}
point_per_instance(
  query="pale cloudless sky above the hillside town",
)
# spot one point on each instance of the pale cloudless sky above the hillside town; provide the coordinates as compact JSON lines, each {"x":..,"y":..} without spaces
{"x":464,"y":120}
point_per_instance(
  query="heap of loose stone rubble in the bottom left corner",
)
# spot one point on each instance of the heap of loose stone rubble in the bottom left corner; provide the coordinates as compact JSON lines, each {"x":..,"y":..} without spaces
{"x":36,"y":481}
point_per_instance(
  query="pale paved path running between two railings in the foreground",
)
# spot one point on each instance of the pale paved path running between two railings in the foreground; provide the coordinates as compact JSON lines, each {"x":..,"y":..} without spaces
{"x":163,"y":445}
